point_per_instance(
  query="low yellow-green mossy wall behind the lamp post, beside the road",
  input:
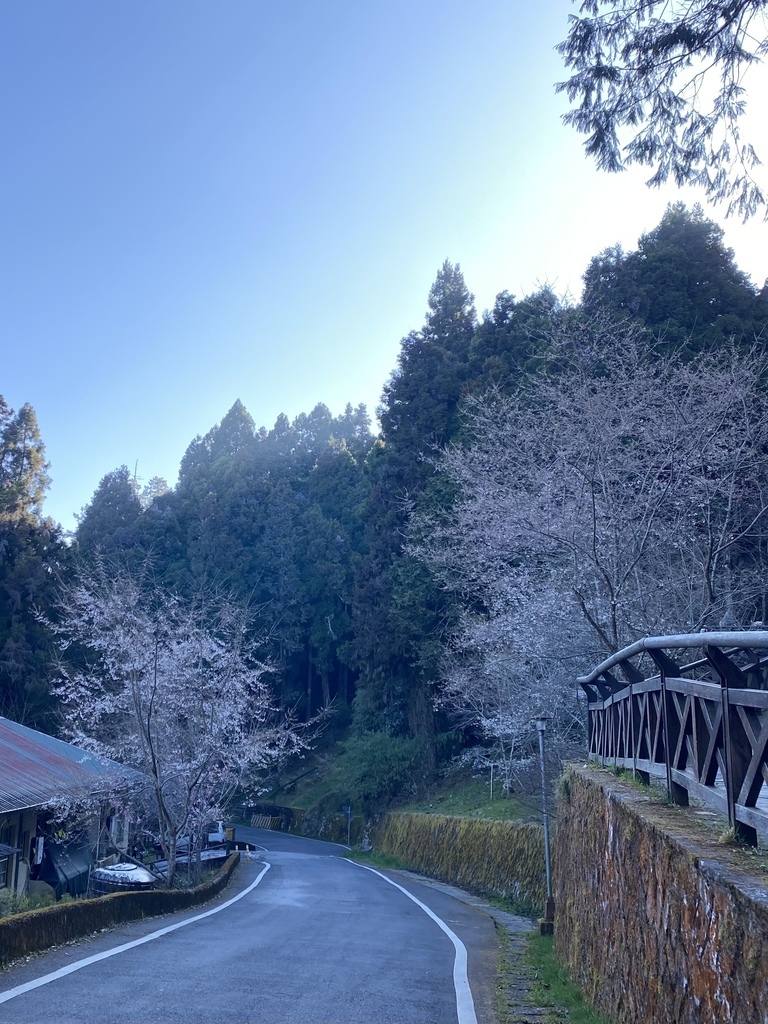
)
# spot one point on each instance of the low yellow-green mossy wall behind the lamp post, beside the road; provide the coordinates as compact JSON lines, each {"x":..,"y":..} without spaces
{"x":497,"y":859}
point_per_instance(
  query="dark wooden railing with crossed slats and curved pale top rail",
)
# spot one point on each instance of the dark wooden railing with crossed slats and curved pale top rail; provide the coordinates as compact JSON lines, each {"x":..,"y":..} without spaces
{"x":702,"y":726}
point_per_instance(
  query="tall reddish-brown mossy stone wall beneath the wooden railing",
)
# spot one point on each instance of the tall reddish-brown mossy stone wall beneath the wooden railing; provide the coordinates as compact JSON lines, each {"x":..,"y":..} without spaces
{"x":658,"y":921}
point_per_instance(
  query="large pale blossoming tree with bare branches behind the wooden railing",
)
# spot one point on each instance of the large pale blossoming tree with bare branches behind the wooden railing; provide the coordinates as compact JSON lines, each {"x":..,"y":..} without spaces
{"x":621,"y":492}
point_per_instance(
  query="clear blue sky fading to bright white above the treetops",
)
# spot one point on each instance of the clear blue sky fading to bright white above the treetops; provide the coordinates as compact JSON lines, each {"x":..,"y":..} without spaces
{"x":206,"y":202}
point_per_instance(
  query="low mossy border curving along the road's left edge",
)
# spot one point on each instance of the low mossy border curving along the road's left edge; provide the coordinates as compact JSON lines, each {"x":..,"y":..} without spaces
{"x":51,"y":926}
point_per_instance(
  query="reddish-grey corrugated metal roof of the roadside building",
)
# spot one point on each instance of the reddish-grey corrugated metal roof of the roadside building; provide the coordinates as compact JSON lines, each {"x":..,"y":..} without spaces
{"x":36,"y":769}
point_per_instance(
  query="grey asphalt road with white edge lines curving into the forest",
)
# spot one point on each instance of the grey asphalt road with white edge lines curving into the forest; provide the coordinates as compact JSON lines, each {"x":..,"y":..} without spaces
{"x":312,"y":940}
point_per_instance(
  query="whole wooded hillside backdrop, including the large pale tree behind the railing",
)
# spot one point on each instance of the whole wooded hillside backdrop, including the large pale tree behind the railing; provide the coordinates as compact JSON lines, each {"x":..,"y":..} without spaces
{"x":394,"y":577}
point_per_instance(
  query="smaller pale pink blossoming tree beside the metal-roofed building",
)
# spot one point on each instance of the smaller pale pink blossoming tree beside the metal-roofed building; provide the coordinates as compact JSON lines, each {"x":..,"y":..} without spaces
{"x":173,"y":689}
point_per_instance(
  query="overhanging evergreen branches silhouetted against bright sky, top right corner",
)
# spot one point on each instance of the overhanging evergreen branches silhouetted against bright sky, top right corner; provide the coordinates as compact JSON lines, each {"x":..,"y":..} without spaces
{"x":661,"y":83}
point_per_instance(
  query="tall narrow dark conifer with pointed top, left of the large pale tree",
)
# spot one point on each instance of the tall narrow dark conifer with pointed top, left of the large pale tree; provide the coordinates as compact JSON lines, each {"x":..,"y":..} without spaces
{"x":399,"y":613}
